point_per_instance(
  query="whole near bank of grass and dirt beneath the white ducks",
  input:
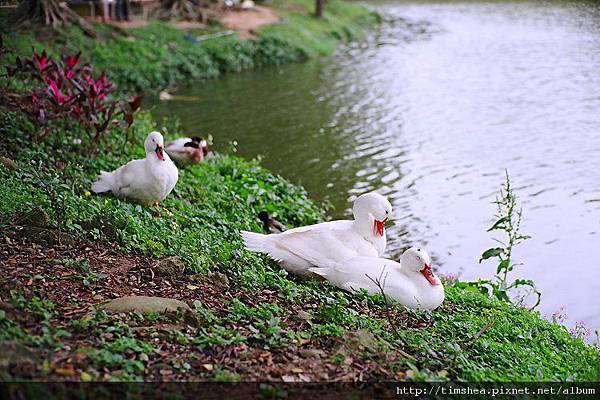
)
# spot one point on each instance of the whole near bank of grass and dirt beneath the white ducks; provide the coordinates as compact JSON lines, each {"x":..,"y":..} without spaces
{"x":261,"y":308}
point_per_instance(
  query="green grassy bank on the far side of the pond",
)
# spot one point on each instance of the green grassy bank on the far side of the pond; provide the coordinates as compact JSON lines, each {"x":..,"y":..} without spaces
{"x":158,"y":55}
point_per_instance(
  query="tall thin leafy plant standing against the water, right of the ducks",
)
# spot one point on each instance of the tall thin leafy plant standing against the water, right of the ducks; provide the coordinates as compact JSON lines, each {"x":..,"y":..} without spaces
{"x":508,"y":222}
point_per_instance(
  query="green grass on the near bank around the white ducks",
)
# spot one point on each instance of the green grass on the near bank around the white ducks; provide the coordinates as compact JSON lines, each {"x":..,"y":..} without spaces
{"x":201,"y":223}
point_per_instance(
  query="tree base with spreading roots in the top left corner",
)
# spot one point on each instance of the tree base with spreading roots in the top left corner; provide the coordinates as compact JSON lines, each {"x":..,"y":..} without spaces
{"x":51,"y":13}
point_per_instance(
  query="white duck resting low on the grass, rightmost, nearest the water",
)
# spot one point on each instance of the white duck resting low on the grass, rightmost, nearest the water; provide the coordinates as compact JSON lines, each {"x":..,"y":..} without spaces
{"x":411,"y":282}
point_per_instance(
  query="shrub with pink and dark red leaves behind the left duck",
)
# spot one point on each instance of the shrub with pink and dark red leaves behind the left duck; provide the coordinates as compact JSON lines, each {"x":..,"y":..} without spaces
{"x":67,"y":90}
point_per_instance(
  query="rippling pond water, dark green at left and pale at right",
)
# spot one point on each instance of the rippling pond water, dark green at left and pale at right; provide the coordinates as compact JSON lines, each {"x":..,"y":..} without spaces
{"x":431,"y":113}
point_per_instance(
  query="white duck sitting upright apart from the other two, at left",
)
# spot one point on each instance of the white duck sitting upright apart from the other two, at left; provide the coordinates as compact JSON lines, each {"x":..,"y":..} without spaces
{"x":148,"y":180}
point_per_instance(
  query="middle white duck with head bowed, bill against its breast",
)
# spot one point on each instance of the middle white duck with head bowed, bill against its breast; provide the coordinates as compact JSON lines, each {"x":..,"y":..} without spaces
{"x":296,"y":249}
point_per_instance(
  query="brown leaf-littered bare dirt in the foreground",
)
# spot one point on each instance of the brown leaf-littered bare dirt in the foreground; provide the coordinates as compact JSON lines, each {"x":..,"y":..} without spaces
{"x":38,"y":270}
